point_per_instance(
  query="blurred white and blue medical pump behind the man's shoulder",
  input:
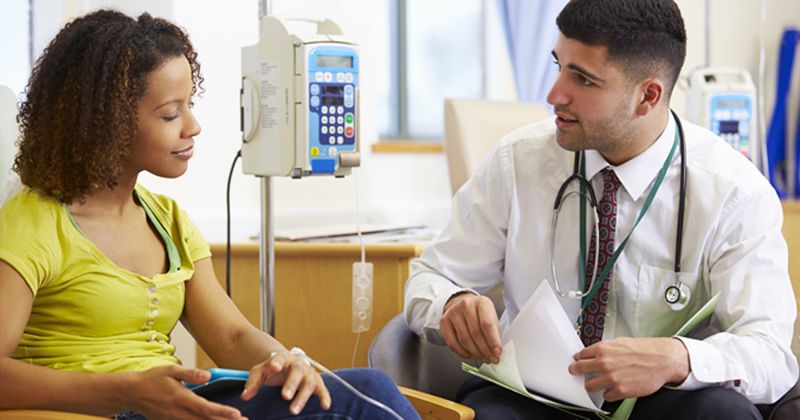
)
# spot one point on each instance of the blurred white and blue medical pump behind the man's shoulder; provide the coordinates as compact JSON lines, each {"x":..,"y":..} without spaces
{"x":724,"y":101}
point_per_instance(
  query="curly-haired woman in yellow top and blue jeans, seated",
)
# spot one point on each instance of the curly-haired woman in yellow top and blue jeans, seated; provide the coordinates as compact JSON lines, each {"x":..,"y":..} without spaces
{"x":95,"y":270}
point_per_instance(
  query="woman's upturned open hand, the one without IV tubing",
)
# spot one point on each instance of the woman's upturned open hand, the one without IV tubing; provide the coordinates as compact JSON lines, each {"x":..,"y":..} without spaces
{"x":159,"y":394}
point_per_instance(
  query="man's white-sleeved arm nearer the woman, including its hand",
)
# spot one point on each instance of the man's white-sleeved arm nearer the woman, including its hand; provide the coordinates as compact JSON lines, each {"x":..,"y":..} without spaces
{"x":467,"y":257}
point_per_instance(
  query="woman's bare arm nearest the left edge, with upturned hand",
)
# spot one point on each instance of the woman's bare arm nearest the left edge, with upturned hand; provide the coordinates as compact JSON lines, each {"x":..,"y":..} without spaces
{"x":156,"y":392}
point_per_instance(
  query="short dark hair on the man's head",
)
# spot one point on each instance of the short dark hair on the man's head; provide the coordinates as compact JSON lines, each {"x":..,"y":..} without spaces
{"x":644,"y":36}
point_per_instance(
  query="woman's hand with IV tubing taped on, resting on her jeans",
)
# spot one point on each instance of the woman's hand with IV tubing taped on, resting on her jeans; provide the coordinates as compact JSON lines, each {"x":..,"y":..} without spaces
{"x":299,"y":380}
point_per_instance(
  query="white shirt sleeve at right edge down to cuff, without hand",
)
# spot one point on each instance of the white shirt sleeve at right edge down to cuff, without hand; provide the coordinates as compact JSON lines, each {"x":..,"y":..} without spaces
{"x":748,"y":265}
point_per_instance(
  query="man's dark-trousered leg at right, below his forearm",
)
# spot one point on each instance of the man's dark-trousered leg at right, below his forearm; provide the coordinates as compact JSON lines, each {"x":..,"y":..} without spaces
{"x":707,"y":403}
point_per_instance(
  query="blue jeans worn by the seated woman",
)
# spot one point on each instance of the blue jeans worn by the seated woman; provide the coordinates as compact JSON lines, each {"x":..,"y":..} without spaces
{"x":268,"y":403}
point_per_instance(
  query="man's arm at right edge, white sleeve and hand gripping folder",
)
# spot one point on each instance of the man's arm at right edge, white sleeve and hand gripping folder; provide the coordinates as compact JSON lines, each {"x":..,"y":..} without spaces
{"x":748,"y":267}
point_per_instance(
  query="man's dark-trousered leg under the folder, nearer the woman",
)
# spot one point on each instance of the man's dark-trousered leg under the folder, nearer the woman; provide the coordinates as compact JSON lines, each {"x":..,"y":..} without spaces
{"x":494,"y":402}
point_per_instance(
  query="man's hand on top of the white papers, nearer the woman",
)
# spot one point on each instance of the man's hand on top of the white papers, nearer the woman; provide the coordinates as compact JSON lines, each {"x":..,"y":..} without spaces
{"x":470,"y":327}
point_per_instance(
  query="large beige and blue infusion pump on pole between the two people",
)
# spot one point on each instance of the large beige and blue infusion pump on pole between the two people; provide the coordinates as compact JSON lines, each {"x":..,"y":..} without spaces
{"x":300,"y":102}
